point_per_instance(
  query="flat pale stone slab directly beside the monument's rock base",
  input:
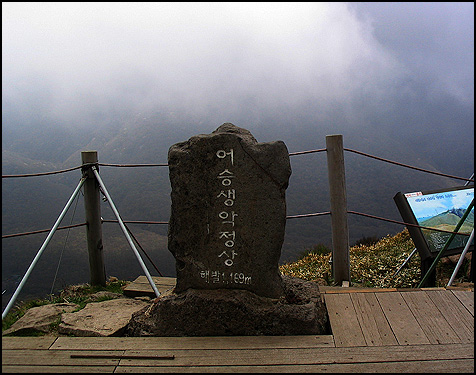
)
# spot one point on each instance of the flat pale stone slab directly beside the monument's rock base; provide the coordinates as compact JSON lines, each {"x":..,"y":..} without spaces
{"x":107,"y":318}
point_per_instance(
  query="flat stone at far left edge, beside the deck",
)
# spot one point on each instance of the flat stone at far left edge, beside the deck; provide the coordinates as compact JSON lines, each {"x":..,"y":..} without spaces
{"x":40,"y":319}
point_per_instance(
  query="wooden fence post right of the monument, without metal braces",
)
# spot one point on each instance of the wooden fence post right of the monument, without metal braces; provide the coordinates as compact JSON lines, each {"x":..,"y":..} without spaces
{"x":338,"y":198}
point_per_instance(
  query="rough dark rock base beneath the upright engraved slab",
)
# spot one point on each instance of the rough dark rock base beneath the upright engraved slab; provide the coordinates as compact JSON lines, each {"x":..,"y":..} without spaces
{"x":230,"y":312}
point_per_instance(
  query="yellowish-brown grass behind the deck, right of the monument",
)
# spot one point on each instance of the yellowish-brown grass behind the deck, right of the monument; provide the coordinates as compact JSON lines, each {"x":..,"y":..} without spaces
{"x":374,"y":265}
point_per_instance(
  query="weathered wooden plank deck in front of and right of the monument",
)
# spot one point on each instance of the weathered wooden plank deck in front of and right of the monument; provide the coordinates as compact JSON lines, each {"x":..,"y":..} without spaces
{"x":373,"y":330}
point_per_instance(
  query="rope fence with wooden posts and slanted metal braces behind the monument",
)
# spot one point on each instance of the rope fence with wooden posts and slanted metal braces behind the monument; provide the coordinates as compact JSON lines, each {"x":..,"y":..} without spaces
{"x":94,"y":221}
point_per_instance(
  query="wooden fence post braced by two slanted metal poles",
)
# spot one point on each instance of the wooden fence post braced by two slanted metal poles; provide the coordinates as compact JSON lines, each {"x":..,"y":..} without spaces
{"x":93,"y":219}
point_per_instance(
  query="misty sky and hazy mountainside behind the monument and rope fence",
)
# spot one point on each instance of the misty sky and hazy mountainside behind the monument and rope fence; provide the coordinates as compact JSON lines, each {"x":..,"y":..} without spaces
{"x":131,"y":79}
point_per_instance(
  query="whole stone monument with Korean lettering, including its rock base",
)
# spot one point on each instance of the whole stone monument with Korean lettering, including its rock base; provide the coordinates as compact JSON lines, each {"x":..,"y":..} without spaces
{"x":226,"y":230}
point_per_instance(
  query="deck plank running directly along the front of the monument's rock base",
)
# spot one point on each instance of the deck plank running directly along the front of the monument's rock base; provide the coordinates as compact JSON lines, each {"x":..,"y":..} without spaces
{"x":193,"y":343}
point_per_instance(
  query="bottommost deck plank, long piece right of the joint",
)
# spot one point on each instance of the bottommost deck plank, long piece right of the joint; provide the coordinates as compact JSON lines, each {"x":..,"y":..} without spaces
{"x":446,"y":366}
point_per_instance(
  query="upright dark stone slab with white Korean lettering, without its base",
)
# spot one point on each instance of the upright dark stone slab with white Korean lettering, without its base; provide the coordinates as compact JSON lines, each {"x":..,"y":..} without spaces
{"x":228,"y":211}
